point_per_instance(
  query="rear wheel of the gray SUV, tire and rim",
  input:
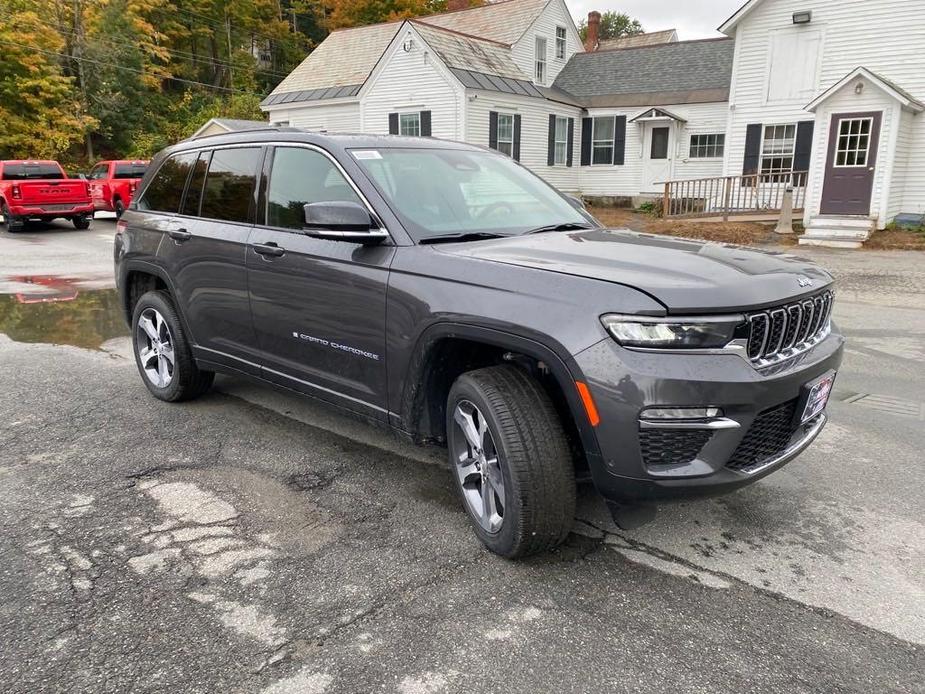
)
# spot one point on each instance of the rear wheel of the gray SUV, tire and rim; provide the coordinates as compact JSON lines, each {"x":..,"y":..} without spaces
{"x":162,"y":352}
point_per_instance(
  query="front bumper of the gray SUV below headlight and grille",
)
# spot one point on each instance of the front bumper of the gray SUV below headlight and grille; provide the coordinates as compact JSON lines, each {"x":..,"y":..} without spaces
{"x":753,"y":437}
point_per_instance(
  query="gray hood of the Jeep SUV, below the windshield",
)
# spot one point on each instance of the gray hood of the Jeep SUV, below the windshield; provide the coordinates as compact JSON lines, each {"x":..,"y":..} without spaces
{"x":686,"y":276}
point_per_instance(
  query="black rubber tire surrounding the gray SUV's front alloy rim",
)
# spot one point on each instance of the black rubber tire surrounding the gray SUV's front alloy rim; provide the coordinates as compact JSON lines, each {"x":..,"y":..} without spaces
{"x":534,"y":456}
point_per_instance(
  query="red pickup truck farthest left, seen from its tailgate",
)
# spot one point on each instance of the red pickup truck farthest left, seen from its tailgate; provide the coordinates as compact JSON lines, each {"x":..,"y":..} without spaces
{"x":41,"y":190}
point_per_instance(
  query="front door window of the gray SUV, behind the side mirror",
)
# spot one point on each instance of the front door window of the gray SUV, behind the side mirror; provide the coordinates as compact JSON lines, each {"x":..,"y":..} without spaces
{"x":300,"y":176}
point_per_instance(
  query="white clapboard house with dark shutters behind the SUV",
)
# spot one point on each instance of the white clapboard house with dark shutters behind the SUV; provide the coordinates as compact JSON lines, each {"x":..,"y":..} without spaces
{"x":822,"y":94}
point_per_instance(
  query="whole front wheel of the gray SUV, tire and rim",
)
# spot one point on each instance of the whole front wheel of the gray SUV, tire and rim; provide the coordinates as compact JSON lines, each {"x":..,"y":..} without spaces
{"x":510,"y":460}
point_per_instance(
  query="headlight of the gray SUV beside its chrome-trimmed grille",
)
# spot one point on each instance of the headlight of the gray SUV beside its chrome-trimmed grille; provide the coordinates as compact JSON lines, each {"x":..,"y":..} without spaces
{"x":673,"y":333}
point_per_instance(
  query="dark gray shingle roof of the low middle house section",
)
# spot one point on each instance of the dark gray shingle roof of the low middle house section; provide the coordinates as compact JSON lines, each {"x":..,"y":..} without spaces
{"x":680,"y":72}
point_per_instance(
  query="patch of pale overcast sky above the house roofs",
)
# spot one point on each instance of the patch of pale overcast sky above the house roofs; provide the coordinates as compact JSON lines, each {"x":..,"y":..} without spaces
{"x":694,"y":19}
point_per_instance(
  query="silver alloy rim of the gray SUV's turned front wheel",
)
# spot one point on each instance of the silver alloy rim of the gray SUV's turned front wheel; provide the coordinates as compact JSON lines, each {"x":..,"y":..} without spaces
{"x":477,"y":465}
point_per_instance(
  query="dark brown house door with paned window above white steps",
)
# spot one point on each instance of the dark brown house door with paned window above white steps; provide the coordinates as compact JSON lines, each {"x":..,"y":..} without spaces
{"x":851,"y":163}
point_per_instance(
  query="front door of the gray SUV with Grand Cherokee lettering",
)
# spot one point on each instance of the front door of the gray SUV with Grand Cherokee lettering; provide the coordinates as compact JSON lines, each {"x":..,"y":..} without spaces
{"x":318,"y":305}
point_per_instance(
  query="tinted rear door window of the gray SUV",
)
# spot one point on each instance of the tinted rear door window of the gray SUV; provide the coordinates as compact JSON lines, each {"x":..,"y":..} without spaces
{"x":228,"y":194}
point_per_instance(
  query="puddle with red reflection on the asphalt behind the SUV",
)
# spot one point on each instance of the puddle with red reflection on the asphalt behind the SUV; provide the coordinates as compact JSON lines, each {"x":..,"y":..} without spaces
{"x":54,"y":310}
